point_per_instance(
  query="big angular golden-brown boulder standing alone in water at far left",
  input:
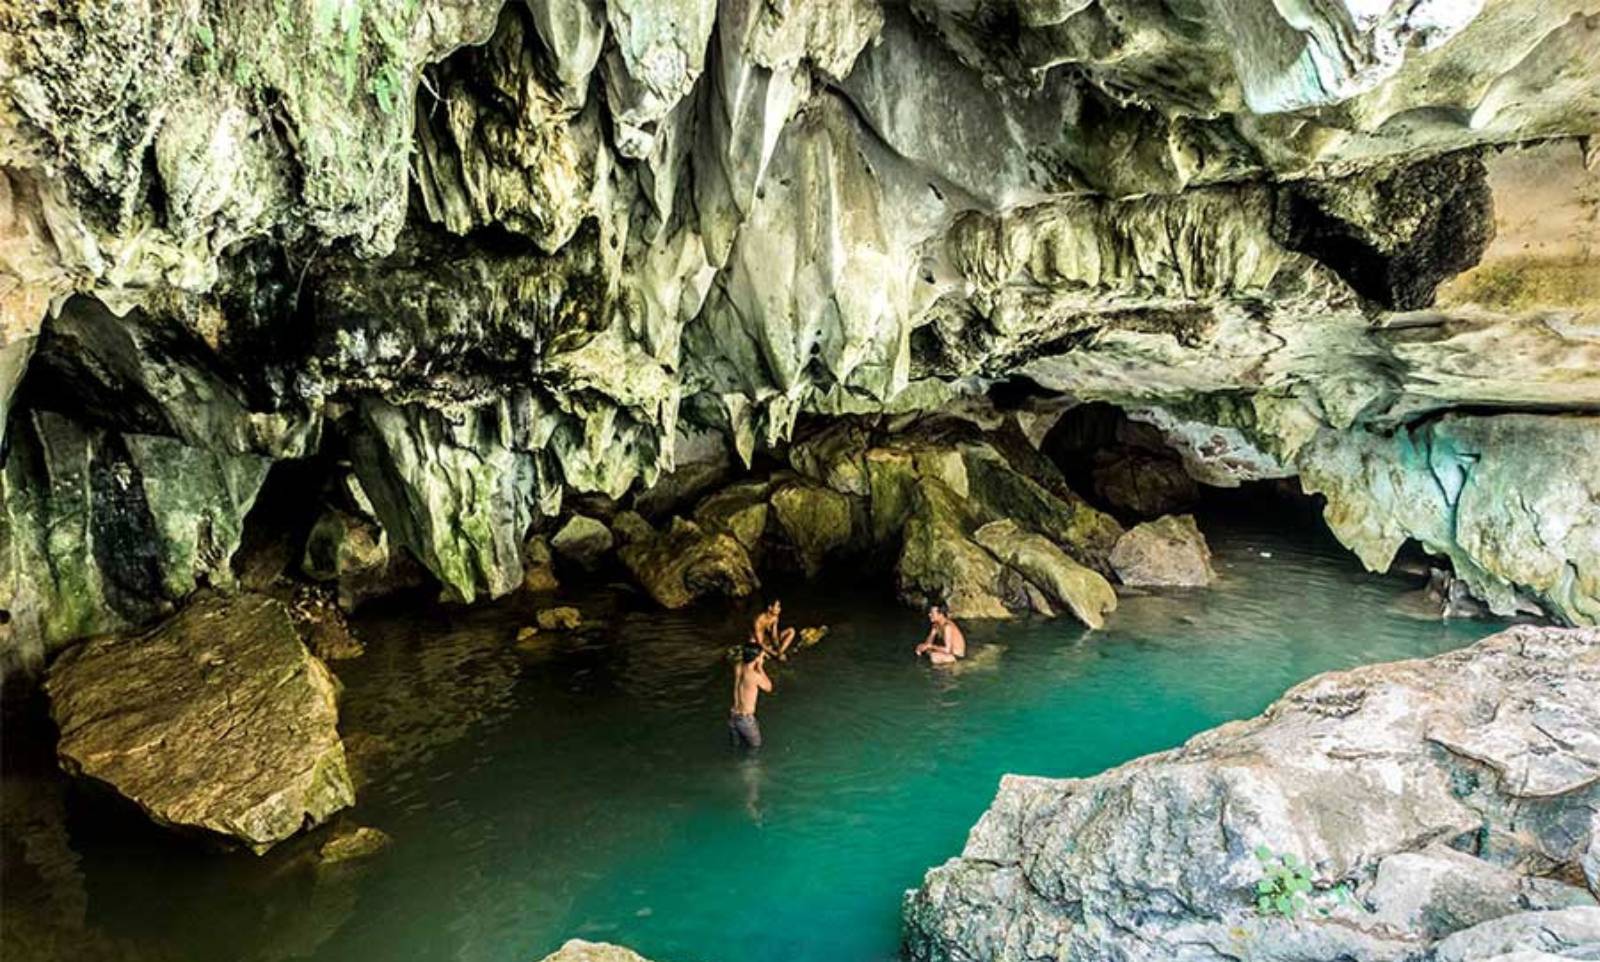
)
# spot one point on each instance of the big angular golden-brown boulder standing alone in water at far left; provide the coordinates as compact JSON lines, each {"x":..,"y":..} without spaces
{"x":217,"y":721}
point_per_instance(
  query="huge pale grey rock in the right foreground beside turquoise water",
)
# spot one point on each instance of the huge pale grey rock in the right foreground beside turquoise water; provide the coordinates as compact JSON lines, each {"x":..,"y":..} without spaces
{"x":1359,"y":777}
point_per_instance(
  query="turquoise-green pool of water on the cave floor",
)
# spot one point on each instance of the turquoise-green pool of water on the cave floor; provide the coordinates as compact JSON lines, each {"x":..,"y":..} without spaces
{"x":585,"y":788}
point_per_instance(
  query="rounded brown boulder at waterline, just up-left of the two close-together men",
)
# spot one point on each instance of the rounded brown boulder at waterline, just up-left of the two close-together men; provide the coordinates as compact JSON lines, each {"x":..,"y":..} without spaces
{"x":687,"y":563}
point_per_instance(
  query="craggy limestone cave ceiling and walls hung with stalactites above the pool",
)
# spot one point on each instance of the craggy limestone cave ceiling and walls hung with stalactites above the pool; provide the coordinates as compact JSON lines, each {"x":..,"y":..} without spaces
{"x":510,"y":252}
